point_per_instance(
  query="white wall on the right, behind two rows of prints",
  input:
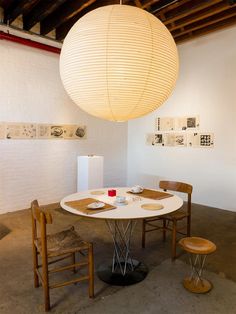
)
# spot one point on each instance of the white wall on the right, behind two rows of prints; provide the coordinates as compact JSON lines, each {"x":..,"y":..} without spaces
{"x":207,"y":87}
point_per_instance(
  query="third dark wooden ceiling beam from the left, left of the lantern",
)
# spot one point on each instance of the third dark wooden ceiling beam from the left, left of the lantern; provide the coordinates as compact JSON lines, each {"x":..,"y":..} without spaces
{"x":67,"y":12}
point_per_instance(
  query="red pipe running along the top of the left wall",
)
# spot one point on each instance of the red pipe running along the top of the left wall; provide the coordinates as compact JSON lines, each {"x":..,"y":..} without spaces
{"x":28,"y":42}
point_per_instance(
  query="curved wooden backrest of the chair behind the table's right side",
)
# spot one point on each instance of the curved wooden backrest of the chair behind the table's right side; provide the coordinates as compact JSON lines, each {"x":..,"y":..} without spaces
{"x":178,"y":187}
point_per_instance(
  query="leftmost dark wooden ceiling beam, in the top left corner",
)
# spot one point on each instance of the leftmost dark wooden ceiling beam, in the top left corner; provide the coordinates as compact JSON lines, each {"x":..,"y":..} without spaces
{"x":22,"y":7}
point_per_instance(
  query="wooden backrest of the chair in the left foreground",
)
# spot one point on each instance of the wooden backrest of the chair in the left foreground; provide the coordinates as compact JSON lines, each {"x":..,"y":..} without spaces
{"x":39,"y":219}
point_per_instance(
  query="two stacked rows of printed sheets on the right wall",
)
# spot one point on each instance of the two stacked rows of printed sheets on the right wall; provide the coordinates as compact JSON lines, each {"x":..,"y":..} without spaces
{"x":166,"y":134}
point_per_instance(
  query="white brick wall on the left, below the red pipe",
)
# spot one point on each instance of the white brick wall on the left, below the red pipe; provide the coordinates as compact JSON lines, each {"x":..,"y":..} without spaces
{"x":31,"y":91}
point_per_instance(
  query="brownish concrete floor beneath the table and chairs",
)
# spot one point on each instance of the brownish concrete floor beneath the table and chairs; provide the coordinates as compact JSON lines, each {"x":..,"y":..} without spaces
{"x":160,"y":292}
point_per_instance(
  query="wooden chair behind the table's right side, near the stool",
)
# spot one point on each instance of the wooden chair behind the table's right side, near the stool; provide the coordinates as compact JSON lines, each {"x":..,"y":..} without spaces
{"x":169,"y":222}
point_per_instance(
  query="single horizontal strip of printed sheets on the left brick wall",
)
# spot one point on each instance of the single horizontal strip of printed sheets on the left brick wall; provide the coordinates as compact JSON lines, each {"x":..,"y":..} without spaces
{"x":41,"y":131}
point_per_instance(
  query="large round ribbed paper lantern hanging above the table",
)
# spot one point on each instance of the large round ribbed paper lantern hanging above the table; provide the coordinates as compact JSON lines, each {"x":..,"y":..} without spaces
{"x":118,"y":62}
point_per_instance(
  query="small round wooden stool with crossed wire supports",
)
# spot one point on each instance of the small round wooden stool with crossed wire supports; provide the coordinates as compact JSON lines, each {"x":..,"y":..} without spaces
{"x":198,"y":249}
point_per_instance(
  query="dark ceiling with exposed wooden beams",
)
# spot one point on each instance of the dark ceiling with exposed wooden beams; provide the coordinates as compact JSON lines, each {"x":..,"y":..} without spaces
{"x":185,"y":19}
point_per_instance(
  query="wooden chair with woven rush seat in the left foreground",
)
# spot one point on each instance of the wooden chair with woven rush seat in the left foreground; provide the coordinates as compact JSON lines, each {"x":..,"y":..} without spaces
{"x":54,"y":248}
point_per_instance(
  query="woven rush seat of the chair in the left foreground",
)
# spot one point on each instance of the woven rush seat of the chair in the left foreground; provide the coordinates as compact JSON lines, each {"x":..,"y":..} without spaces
{"x":63,"y":242}
